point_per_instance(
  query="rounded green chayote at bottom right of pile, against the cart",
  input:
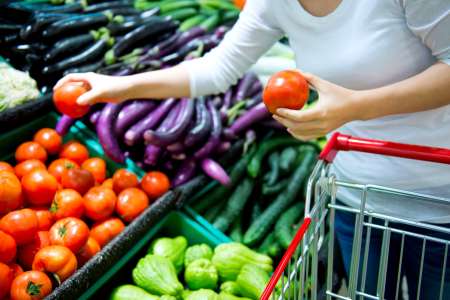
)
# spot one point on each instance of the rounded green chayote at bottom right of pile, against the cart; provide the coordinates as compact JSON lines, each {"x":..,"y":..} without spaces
{"x":252,"y":281}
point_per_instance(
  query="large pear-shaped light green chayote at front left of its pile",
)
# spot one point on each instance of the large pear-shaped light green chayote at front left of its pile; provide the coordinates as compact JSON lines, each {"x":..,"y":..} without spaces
{"x":157,"y":275}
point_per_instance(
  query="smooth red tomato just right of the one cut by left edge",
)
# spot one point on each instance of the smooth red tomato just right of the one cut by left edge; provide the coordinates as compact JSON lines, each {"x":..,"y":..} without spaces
{"x":39,"y":187}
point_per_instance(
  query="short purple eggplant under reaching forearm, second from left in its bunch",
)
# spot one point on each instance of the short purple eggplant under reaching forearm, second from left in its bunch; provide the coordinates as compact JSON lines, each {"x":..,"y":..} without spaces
{"x":131,"y":113}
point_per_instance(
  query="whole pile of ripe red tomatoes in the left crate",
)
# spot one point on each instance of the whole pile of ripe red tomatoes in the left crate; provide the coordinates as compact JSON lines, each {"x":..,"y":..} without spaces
{"x":58,"y":208}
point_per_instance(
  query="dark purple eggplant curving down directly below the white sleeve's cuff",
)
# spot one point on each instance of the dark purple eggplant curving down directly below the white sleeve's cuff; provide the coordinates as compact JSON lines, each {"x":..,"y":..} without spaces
{"x":202,"y":124}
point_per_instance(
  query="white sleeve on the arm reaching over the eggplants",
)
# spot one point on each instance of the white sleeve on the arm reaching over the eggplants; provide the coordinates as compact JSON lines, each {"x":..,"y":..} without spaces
{"x":252,"y":35}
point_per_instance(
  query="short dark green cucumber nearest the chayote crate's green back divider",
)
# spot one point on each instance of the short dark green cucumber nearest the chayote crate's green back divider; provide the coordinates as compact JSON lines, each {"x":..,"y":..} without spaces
{"x":235,"y":205}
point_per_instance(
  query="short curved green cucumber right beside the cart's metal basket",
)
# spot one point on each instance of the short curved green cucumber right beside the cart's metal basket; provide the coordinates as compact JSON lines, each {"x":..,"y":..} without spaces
{"x":284,"y":232}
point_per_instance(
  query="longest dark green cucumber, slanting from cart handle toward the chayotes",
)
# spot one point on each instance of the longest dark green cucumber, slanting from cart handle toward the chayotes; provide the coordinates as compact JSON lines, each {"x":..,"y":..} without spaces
{"x":258,"y":229}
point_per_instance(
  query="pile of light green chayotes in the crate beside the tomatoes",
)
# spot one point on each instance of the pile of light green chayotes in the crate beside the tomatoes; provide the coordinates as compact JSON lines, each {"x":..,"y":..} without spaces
{"x":174,"y":270}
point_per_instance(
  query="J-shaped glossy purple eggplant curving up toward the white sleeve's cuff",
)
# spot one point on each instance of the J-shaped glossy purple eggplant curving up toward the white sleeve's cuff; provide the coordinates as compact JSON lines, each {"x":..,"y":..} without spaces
{"x":169,"y":136}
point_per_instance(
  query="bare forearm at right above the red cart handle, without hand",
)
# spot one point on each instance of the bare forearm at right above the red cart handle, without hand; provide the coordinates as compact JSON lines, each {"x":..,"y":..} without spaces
{"x":427,"y":90}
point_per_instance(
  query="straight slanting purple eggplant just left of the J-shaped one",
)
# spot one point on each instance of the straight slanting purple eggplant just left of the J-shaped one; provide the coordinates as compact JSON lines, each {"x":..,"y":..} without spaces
{"x":135,"y":134}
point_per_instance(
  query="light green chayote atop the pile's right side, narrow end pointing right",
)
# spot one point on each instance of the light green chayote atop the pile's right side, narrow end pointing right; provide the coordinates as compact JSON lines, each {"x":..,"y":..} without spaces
{"x":229,"y":259}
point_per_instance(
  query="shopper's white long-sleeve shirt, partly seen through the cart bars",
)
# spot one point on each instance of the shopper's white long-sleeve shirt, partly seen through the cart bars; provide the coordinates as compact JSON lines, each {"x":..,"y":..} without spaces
{"x":363,"y":44}
